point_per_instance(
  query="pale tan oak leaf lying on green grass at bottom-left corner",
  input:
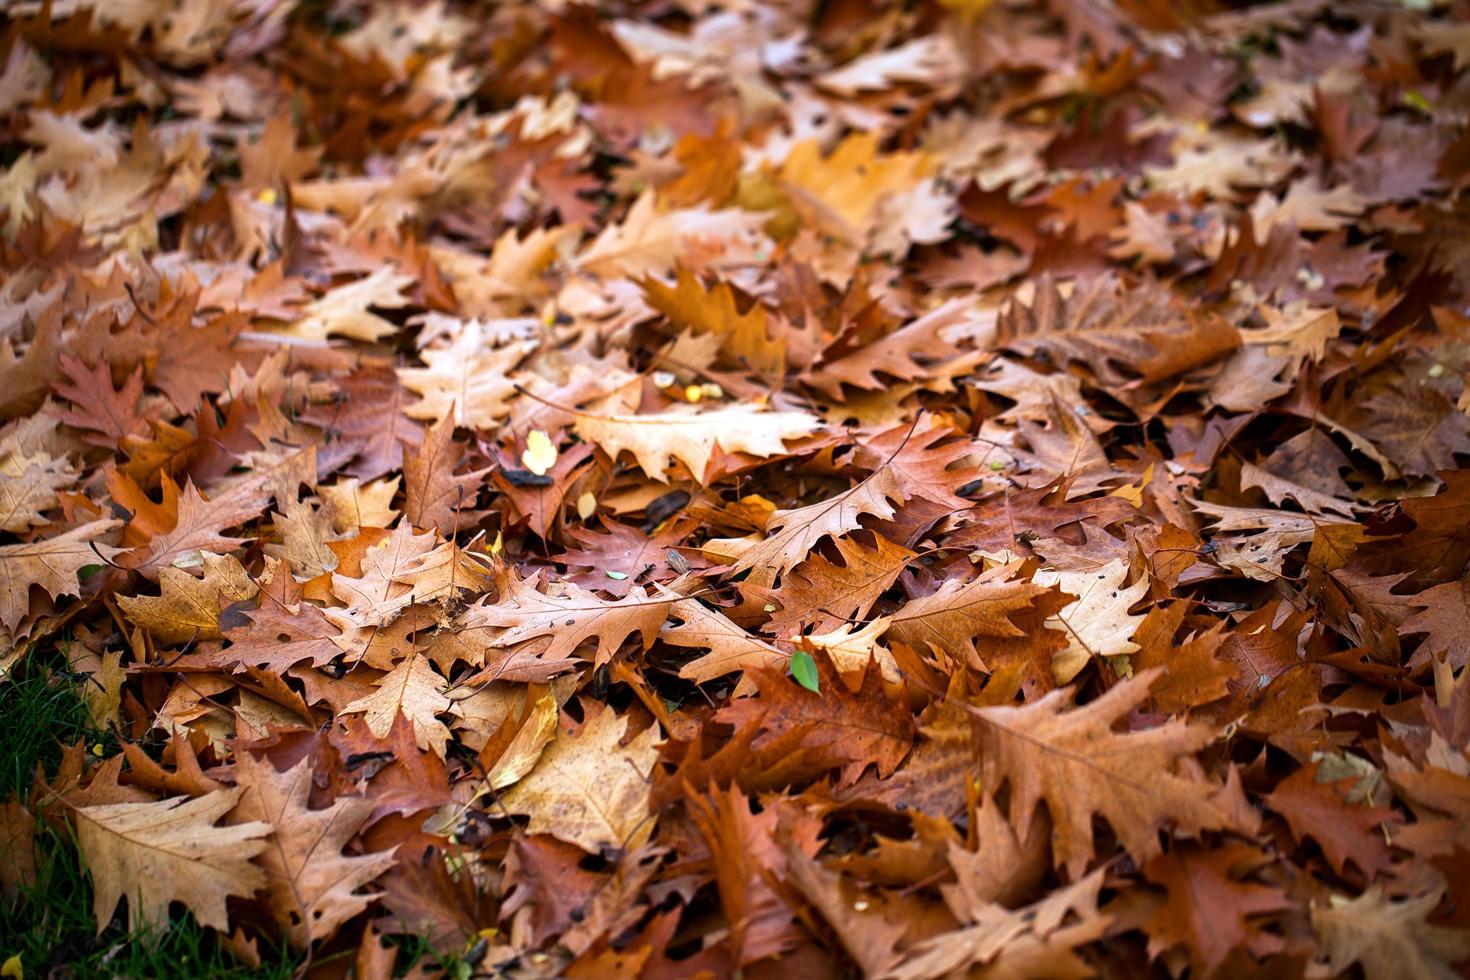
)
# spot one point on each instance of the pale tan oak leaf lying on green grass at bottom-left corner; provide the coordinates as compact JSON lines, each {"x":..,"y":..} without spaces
{"x":167,"y":851}
